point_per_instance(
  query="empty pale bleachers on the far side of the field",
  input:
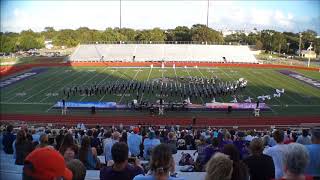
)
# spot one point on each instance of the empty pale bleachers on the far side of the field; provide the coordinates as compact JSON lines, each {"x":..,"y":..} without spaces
{"x":163,"y":52}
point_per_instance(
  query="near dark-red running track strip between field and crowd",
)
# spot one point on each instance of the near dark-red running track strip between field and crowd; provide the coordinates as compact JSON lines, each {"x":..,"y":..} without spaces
{"x":157,"y":120}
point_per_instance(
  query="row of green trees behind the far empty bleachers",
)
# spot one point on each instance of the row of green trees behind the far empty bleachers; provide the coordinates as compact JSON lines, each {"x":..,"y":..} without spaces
{"x":269,"y":40}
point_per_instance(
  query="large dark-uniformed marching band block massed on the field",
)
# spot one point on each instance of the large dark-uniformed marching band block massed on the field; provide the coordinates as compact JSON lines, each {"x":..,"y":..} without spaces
{"x":185,"y":87}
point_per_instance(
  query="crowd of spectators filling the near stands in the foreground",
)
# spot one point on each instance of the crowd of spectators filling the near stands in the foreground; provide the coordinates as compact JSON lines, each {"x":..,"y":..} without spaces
{"x":146,"y":153}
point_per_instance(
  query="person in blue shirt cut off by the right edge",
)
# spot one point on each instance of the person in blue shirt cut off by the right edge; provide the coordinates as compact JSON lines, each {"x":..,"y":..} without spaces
{"x":313,"y":149}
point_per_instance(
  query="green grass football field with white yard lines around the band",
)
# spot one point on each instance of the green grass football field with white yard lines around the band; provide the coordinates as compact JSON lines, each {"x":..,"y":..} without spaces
{"x":37,"y":94}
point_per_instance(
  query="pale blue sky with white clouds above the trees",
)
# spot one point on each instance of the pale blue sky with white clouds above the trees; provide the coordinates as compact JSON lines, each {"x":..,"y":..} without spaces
{"x":293,"y":15}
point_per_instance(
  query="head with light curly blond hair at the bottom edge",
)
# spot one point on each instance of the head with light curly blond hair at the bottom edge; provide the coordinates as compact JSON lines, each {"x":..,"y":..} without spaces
{"x":219,"y":167}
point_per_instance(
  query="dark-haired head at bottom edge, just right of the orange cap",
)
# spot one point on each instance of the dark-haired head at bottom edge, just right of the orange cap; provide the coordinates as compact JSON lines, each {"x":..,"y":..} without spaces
{"x":77,"y":168}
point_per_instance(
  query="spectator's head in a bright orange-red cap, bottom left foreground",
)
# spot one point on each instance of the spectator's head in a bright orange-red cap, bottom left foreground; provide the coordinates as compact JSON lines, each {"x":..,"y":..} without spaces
{"x":45,"y":163}
